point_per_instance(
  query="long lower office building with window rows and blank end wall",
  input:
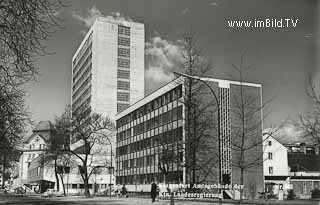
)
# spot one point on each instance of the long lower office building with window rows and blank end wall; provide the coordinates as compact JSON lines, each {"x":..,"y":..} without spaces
{"x":155,"y":127}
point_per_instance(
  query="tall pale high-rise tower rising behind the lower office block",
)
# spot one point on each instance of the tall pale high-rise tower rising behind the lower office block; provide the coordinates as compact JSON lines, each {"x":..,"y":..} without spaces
{"x":108,"y":67}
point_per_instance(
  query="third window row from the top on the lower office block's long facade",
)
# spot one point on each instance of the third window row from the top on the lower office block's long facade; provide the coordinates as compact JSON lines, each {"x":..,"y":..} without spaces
{"x":167,"y":137}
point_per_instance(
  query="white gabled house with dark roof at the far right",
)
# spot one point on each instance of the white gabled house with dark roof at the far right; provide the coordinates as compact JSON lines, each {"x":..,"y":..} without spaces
{"x":290,"y":163}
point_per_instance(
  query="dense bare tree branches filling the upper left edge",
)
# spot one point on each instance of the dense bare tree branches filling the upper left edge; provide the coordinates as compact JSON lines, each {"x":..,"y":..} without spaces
{"x":24,"y":27}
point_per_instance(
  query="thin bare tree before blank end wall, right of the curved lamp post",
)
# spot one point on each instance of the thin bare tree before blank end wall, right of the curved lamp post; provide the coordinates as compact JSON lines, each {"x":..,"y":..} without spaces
{"x":246,"y":135}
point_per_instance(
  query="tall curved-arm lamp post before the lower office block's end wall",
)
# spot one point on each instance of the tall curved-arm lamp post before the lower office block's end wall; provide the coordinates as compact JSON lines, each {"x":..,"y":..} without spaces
{"x":218,"y":105}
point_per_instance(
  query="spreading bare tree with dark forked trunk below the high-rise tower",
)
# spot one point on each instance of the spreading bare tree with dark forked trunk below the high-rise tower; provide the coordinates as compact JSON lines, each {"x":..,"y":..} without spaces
{"x":92,"y":132}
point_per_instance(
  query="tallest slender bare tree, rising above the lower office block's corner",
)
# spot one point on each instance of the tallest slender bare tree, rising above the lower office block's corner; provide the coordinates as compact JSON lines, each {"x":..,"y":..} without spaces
{"x":200,"y":112}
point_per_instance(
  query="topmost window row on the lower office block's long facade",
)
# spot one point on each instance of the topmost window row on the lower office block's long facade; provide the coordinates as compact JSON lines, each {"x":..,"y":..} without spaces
{"x":170,"y":96}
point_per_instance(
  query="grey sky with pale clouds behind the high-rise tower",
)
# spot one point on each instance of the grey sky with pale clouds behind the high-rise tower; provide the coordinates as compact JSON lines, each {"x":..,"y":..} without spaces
{"x":281,"y":57}
